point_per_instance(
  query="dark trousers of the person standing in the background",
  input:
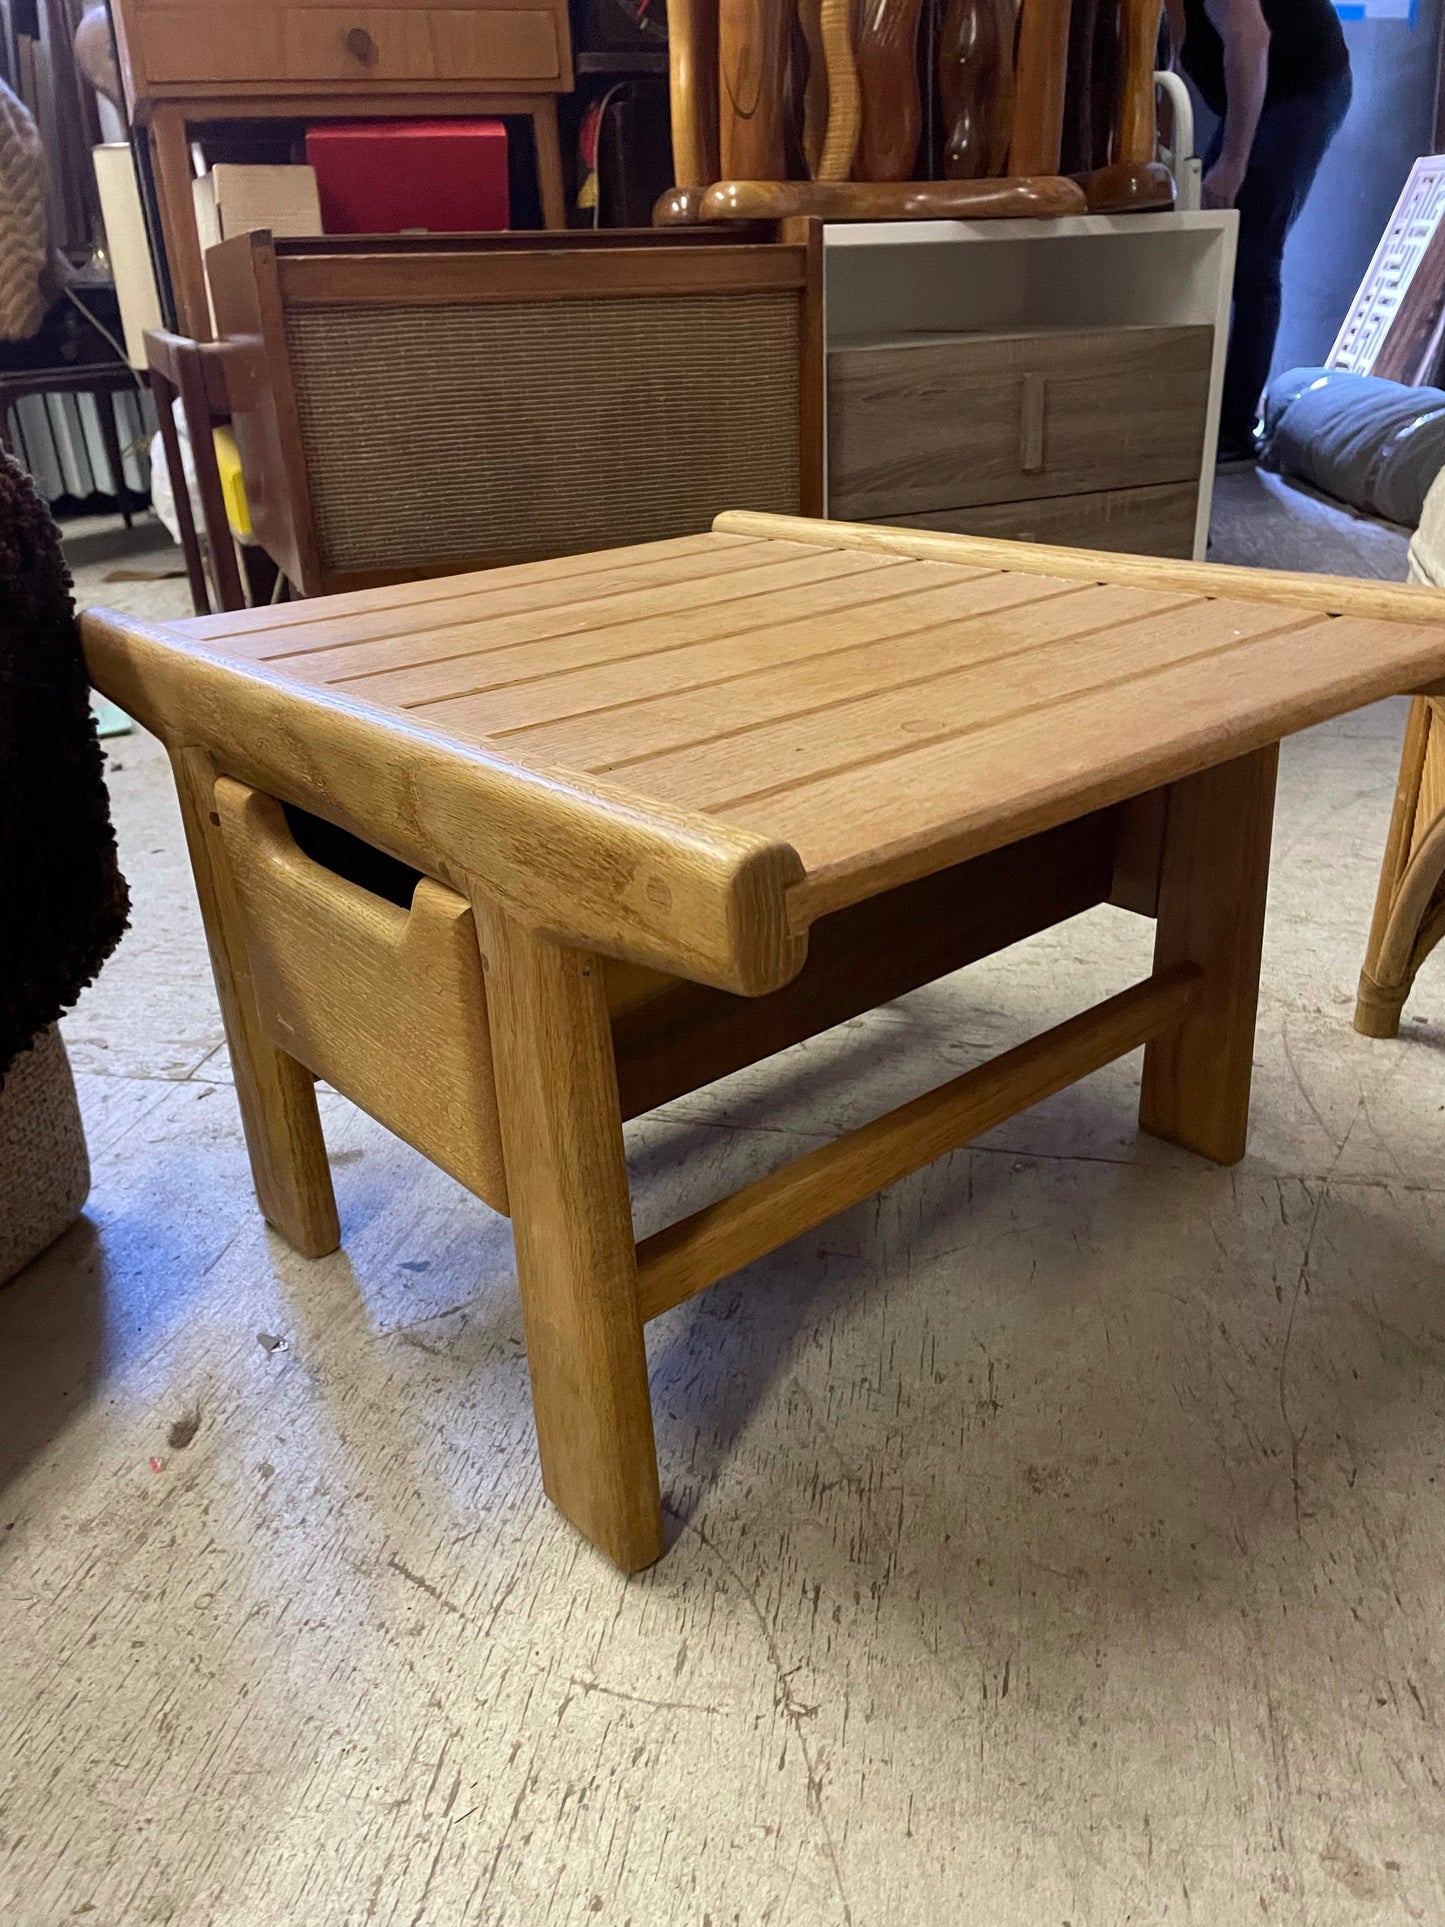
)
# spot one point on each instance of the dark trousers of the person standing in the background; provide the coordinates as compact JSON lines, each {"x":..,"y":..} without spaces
{"x":1290,"y":145}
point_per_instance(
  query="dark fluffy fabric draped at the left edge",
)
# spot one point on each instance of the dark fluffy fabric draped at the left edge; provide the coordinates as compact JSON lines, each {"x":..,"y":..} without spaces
{"x":63,"y":897}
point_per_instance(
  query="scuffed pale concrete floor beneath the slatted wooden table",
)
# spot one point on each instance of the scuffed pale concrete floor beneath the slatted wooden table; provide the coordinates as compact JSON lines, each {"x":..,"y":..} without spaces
{"x":1057,"y":1541}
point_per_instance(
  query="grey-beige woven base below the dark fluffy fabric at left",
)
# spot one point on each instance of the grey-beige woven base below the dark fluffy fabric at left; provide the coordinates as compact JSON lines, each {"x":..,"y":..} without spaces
{"x":45,"y":1173}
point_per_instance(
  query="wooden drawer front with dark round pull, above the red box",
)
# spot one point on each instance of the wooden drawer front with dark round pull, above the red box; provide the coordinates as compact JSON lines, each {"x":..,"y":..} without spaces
{"x":226,"y":45}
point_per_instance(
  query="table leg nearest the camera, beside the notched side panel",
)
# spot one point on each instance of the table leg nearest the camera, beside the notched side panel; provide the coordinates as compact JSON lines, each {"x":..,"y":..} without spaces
{"x":577,"y":1265}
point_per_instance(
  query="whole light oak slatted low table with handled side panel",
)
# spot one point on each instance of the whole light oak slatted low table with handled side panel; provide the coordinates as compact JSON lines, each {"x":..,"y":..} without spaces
{"x":637,"y":941}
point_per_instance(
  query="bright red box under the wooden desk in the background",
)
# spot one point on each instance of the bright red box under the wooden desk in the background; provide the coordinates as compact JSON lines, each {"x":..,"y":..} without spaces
{"x":382,"y":178}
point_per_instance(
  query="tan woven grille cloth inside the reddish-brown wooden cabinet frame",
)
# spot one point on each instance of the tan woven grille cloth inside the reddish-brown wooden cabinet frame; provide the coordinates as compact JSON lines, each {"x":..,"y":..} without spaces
{"x":438,"y":435}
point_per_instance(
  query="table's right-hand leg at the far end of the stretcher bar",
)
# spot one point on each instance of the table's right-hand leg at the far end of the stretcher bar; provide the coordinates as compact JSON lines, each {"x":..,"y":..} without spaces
{"x":1213,"y":887}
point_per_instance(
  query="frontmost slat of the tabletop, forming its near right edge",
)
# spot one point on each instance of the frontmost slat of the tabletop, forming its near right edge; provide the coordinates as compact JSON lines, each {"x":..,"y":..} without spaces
{"x":957,"y":799}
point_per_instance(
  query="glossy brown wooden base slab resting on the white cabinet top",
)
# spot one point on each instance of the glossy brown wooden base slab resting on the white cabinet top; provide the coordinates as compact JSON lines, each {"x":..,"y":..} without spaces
{"x":893,"y":201}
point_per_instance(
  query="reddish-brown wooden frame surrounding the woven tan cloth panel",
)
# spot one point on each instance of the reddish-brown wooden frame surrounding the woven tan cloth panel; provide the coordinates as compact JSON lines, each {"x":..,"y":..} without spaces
{"x":257,"y":282}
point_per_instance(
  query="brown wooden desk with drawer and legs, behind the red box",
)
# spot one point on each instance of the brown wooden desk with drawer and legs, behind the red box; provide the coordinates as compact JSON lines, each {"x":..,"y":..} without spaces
{"x":207,"y":61}
